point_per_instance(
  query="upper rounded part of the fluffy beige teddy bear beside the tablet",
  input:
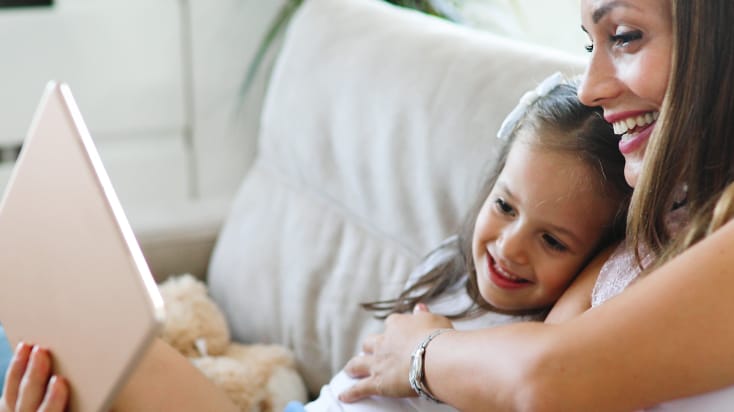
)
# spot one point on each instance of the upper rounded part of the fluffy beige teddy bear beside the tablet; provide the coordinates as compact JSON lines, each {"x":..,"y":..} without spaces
{"x":194,"y":324}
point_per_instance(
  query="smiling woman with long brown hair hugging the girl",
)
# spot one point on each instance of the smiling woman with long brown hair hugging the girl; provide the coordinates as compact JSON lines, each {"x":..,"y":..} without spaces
{"x":668,"y":336}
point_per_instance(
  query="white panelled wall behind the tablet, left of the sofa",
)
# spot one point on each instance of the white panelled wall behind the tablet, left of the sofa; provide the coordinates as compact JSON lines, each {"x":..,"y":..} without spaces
{"x":157,"y":83}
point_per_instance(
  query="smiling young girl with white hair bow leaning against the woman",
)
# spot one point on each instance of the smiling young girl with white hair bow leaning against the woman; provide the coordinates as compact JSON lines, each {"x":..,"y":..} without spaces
{"x":556,"y":197}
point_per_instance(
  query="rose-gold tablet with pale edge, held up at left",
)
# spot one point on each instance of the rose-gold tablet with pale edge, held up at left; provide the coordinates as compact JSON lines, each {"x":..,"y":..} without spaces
{"x":73,"y":277}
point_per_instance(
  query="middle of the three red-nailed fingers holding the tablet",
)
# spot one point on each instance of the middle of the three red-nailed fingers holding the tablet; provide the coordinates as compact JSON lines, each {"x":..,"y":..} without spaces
{"x":35,"y":380}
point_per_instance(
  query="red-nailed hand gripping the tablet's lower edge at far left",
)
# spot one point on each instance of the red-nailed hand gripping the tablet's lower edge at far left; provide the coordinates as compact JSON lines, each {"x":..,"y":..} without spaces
{"x":30,"y":385}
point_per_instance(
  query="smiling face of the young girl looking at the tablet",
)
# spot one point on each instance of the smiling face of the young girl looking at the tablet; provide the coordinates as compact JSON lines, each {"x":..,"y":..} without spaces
{"x":537,"y":228}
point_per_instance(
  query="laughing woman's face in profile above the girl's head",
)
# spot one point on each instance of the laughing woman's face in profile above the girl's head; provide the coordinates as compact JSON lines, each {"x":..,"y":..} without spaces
{"x":631,"y":45}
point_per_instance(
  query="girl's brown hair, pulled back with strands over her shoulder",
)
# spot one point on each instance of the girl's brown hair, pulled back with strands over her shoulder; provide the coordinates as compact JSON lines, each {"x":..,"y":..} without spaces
{"x":559,"y":122}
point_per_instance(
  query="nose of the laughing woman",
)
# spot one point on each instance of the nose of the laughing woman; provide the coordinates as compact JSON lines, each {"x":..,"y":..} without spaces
{"x":599,"y":82}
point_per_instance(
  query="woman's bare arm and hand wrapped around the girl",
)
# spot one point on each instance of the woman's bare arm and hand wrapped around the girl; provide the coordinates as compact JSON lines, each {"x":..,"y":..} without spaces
{"x":669,"y":335}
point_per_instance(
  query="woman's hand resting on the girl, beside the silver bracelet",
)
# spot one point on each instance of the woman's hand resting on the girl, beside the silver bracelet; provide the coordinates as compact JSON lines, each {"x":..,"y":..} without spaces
{"x":384,"y":366}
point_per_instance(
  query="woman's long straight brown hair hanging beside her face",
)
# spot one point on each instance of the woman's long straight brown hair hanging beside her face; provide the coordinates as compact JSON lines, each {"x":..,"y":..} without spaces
{"x":692,"y":146}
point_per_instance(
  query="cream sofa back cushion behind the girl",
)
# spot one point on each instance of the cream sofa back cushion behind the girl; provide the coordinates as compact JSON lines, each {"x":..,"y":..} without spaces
{"x":378,"y":125}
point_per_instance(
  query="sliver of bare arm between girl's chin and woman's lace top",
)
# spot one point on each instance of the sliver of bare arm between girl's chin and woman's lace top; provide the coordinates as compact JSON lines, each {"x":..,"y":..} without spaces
{"x":577,"y":298}
